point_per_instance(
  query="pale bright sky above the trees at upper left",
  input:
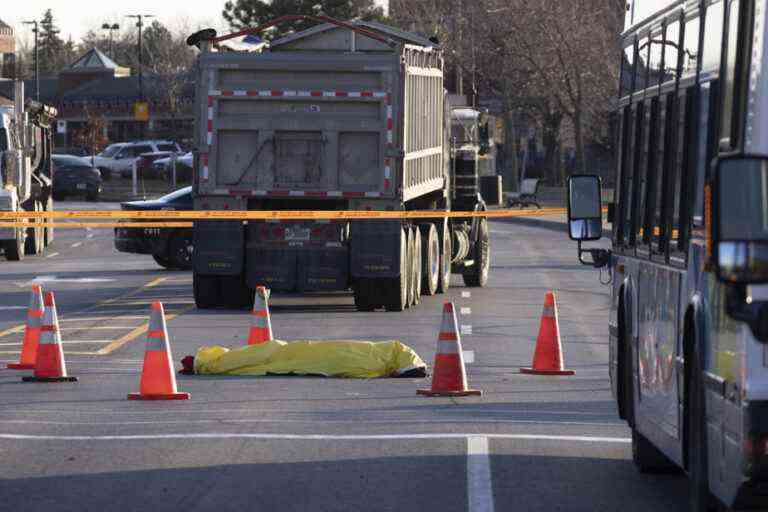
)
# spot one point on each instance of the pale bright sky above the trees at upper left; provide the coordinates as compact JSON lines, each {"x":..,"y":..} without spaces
{"x":75,"y":18}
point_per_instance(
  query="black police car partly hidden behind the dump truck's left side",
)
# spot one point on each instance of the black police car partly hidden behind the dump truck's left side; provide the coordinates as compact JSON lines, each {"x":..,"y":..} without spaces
{"x":170,"y":247}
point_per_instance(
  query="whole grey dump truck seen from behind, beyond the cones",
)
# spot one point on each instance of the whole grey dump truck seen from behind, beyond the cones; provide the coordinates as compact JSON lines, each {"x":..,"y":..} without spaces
{"x":341,"y":116}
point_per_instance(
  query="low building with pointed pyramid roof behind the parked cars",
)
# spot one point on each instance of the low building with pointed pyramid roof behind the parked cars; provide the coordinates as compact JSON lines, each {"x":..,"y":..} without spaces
{"x":95,"y":87}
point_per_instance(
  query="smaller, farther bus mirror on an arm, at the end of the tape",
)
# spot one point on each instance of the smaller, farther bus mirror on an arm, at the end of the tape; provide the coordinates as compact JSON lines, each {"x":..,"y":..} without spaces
{"x":585,"y":216}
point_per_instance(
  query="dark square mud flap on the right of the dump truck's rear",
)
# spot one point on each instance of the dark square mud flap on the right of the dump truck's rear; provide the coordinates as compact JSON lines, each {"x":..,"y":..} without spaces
{"x":375,"y":248}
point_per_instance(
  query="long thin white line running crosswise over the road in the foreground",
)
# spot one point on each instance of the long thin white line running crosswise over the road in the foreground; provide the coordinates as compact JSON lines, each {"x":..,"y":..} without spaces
{"x":315,"y":437}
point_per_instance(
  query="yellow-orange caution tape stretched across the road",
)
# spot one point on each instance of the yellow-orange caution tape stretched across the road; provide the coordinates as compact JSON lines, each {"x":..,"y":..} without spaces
{"x":184,"y":218}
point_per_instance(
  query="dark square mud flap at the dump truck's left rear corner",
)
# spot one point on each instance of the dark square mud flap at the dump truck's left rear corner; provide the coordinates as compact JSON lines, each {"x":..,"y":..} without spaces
{"x":219,"y":248}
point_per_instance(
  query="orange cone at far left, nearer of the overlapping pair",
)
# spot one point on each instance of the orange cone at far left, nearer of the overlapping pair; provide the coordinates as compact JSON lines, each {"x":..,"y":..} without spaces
{"x":49,"y":362}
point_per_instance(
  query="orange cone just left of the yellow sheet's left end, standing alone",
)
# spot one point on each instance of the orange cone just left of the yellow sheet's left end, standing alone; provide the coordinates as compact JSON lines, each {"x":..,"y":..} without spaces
{"x":158,"y":381}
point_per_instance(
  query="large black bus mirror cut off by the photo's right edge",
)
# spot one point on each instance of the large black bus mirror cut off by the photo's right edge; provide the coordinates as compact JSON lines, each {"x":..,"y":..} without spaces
{"x":738,"y":219}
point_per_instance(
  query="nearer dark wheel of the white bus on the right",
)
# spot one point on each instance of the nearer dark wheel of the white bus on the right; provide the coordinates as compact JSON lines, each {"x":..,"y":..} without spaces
{"x":701,"y":500}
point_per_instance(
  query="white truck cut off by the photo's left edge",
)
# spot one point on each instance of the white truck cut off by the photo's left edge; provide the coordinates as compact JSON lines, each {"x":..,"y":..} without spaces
{"x":26,"y":172}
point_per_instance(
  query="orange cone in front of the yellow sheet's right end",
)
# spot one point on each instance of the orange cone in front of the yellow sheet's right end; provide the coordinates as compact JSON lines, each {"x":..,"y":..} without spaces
{"x":449,"y":377}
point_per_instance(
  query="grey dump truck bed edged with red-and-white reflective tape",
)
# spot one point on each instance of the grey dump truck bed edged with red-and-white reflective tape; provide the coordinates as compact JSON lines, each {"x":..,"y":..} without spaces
{"x":311,"y":121}
